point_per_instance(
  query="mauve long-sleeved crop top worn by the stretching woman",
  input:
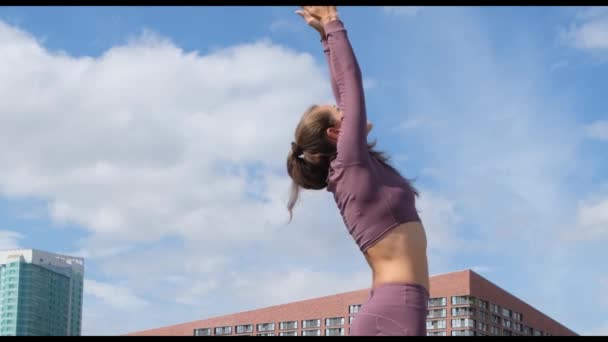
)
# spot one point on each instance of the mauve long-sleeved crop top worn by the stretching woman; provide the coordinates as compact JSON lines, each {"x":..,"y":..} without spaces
{"x":372,"y":198}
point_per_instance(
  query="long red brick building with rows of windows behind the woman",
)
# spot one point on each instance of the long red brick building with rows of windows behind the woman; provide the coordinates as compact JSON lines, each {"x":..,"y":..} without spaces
{"x":462,"y":304}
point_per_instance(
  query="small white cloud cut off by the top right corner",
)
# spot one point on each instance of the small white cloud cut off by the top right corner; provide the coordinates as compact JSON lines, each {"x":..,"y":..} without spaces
{"x":590,"y":30}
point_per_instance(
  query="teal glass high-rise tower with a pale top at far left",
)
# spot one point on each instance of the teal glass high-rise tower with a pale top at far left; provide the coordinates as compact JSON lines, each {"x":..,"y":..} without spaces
{"x":40,"y":293}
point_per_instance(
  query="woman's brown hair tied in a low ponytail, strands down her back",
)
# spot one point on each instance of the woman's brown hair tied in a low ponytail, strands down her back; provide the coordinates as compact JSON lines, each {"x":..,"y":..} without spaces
{"x":312,"y":152}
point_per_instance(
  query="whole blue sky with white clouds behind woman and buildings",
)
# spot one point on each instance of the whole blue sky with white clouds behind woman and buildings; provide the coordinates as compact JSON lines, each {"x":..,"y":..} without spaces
{"x":151,"y":141}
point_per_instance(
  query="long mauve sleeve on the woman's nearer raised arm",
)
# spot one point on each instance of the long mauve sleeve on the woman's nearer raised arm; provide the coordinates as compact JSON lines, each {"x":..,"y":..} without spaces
{"x":352,"y":142}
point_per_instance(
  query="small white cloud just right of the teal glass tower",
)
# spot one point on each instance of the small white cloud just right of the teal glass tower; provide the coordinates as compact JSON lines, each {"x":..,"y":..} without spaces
{"x":115,"y":296}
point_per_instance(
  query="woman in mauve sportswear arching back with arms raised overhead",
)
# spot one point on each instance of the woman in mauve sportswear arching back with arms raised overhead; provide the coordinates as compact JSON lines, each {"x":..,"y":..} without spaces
{"x":377,"y":204}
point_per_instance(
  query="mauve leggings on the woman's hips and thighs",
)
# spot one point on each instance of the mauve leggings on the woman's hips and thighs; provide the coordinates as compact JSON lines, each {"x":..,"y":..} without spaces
{"x":393,"y":309}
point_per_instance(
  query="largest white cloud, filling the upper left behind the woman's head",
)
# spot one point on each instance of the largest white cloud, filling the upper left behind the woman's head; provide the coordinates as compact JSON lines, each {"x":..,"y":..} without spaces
{"x":150,"y":141}
